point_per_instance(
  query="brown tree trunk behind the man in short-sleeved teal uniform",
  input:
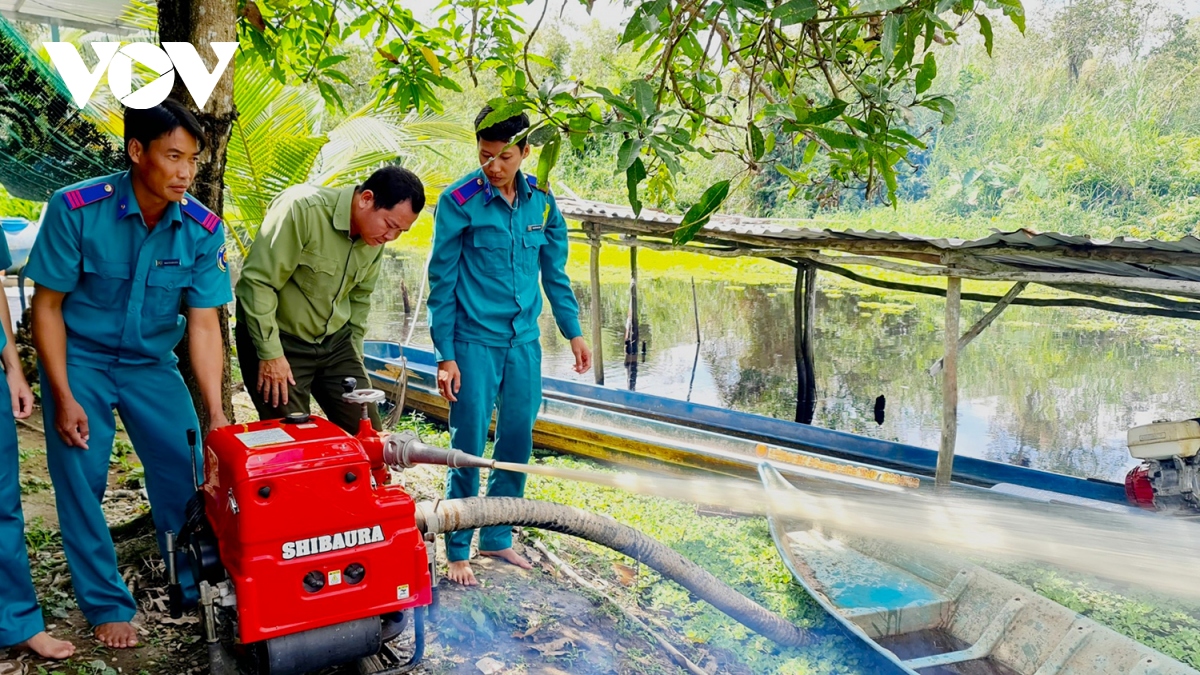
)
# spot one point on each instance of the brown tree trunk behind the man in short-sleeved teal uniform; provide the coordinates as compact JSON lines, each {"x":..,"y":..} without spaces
{"x":203,"y":22}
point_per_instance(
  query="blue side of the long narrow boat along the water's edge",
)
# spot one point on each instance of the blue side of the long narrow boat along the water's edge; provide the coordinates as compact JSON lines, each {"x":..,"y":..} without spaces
{"x":381,"y":355}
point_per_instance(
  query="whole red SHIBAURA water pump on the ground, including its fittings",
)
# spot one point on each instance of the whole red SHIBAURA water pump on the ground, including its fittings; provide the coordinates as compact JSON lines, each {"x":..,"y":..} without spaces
{"x":304,"y":554}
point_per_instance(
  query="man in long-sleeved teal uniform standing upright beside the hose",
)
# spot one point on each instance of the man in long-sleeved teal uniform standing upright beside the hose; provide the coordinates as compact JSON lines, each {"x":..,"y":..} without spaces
{"x":496,"y":231}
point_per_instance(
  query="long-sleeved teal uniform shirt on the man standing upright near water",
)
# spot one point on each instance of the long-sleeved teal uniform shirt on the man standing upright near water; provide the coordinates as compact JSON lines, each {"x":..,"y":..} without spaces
{"x":488,"y":256}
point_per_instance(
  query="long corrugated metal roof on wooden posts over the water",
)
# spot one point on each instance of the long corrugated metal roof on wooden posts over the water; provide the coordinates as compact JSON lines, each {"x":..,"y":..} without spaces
{"x":1049,"y":252}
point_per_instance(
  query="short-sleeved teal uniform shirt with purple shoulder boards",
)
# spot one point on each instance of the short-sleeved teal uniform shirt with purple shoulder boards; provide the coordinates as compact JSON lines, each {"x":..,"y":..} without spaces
{"x":124,"y":283}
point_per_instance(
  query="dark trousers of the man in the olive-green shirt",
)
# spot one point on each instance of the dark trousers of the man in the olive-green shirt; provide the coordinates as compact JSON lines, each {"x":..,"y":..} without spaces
{"x":319,"y":369}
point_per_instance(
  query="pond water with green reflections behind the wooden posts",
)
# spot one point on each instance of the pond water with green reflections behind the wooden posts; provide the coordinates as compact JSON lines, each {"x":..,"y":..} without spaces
{"x":1053,"y":390}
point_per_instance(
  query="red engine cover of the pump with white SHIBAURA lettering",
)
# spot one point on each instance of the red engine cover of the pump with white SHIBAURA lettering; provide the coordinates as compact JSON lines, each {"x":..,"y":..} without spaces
{"x":305,"y":537}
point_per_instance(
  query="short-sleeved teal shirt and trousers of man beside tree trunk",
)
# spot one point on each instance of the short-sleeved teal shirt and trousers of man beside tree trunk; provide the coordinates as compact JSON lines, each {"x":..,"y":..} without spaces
{"x":125,"y":286}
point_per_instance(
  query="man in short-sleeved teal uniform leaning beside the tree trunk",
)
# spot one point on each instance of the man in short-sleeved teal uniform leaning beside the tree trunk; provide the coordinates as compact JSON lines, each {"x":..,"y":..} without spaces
{"x":116,"y":260}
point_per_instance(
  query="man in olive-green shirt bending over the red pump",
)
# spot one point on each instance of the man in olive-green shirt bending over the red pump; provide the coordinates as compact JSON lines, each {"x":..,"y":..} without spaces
{"x":305,"y":292}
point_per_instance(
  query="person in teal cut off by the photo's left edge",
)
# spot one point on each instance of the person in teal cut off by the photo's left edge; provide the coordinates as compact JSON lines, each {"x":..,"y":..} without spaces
{"x":21,"y":619}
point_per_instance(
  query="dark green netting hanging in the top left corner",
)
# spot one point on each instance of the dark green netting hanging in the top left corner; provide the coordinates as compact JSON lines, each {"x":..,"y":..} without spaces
{"x":46,"y":142}
